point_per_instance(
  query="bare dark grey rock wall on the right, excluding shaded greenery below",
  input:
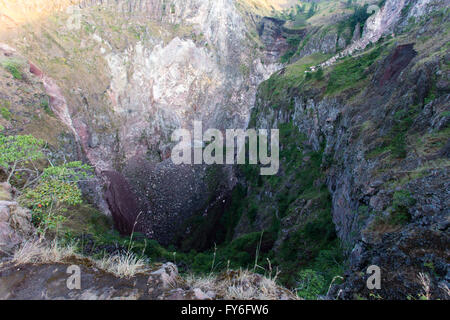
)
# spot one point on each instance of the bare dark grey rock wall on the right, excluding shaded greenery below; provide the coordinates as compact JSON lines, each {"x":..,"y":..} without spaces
{"x":378,"y":160}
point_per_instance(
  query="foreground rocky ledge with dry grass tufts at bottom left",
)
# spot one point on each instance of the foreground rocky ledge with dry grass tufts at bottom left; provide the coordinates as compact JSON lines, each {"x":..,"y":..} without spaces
{"x":33,"y":268}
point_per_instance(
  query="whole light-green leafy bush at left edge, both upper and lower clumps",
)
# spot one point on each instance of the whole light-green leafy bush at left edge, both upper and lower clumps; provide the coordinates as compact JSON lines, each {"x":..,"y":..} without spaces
{"x":47,"y":193}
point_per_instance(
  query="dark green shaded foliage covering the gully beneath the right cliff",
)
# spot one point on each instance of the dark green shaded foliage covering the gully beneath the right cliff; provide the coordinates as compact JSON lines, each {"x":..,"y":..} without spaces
{"x":314,"y":245}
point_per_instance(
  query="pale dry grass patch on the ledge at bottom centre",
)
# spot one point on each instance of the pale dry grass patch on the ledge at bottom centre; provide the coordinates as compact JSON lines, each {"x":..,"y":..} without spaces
{"x":241,"y":285}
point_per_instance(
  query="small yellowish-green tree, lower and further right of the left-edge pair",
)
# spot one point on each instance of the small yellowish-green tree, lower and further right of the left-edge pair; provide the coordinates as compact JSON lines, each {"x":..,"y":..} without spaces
{"x":56,"y":190}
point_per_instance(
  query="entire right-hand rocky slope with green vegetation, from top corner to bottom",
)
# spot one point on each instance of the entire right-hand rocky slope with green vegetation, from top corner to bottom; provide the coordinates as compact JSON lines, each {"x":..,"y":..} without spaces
{"x":372,"y":133}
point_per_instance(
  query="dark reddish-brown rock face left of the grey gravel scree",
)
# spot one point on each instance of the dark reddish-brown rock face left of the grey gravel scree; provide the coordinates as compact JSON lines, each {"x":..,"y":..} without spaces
{"x":122,"y":203}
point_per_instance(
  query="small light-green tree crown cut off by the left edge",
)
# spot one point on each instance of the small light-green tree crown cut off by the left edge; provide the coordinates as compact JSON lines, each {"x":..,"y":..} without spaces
{"x":18,"y":153}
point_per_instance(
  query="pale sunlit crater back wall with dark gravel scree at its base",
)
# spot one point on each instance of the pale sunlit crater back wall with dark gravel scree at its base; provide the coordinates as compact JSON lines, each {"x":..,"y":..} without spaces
{"x":122,"y":87}
